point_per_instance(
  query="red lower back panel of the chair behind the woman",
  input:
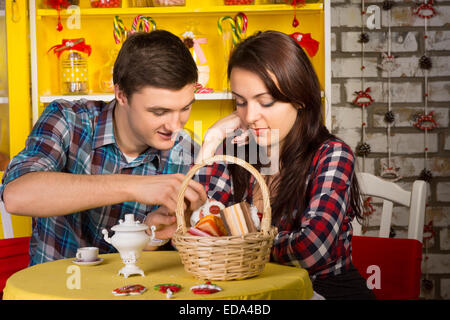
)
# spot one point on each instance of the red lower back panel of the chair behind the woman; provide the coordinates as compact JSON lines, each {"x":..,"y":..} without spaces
{"x":398,"y":262}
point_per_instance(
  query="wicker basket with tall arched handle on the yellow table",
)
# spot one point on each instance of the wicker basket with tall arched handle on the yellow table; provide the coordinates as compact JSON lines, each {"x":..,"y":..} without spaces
{"x":229,"y":257}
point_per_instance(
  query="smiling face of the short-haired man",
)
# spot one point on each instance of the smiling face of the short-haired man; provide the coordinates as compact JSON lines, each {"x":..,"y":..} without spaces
{"x":154,"y":116}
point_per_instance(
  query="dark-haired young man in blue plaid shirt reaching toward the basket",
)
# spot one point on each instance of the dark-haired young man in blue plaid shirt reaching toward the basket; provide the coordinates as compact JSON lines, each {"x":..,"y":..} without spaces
{"x":88,"y":163}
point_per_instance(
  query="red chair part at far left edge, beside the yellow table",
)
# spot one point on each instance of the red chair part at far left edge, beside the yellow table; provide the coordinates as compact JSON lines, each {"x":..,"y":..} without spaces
{"x":13,"y":257}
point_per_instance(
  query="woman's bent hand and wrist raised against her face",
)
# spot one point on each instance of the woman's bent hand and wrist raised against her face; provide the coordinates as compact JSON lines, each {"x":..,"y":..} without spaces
{"x":218,"y":132}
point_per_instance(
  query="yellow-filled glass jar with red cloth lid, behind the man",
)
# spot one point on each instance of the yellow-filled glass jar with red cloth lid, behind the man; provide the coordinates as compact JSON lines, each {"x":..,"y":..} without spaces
{"x":73,"y":66}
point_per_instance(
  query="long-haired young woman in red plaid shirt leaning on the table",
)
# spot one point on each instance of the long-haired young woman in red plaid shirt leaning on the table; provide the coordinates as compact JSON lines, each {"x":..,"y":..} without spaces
{"x":313,"y":188}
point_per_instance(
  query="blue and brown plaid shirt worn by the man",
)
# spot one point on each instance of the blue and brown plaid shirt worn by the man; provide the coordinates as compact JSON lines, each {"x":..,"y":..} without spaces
{"x":78,"y":137}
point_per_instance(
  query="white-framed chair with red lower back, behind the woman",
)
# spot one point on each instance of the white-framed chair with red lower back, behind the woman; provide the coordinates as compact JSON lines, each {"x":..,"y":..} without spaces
{"x":391,"y":266}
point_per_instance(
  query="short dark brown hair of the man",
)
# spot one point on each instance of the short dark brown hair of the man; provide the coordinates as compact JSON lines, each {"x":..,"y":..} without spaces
{"x":158,"y":59}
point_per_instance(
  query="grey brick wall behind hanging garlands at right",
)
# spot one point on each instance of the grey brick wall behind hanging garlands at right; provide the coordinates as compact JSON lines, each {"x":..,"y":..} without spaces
{"x":407,"y":94}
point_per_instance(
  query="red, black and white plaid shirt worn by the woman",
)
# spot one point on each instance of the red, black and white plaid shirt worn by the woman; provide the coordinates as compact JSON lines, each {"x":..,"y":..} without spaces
{"x":322,"y":244}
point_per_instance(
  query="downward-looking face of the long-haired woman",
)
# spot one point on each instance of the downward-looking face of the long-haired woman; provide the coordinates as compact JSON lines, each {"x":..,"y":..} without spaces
{"x":269,"y":120}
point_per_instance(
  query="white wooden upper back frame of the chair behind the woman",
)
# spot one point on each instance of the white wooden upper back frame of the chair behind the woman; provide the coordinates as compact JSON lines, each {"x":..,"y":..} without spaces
{"x":391,"y":193}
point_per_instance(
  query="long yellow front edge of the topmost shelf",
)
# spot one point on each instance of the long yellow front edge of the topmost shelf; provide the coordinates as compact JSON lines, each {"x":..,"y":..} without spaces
{"x":250,"y":9}
